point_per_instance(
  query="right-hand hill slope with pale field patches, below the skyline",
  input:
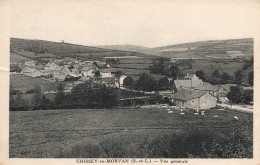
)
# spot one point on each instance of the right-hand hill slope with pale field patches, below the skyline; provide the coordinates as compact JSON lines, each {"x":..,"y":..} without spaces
{"x":214,"y":48}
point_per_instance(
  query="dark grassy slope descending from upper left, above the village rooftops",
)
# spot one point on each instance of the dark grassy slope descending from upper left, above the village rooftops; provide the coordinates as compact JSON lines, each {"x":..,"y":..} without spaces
{"x":66,"y":50}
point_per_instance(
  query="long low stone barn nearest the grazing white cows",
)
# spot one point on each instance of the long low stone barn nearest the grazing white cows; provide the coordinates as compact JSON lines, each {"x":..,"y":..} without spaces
{"x":194,"y":99}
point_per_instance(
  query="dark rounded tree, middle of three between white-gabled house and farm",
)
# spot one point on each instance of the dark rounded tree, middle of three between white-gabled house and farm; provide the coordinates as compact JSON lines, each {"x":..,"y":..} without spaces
{"x":146,"y":83}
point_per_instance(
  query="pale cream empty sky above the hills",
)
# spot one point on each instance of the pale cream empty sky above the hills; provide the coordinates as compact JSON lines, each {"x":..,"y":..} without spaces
{"x":144,"y":23}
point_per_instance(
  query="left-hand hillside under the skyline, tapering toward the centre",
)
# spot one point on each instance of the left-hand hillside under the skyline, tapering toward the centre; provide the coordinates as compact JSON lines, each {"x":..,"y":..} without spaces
{"x":44,"y":50}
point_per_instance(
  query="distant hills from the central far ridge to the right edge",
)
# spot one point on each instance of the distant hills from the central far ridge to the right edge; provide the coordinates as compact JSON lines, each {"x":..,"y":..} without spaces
{"x":223,"y":49}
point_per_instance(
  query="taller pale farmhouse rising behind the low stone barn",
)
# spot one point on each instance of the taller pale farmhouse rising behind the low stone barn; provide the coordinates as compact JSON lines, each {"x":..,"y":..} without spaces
{"x":189,"y":81}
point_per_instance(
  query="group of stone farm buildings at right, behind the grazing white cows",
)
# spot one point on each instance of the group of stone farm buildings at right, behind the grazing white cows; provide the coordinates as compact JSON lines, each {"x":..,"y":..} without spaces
{"x":191,"y":92}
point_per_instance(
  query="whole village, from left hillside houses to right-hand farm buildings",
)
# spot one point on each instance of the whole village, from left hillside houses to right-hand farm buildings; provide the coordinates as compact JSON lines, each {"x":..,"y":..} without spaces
{"x":189,"y":92}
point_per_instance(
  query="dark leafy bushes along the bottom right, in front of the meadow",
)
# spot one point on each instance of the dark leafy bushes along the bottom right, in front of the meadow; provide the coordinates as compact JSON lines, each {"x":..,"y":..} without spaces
{"x":191,"y":143}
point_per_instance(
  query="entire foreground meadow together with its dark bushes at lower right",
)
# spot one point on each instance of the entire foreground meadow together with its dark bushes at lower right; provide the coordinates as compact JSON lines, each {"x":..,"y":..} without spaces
{"x":130,"y":133}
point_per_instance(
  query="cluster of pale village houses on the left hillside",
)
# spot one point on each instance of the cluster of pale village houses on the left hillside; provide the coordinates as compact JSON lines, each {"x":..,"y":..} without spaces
{"x":72,"y":69}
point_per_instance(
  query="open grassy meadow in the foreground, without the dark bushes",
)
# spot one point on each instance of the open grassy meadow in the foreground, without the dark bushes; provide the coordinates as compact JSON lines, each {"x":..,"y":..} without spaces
{"x":52,"y":132}
